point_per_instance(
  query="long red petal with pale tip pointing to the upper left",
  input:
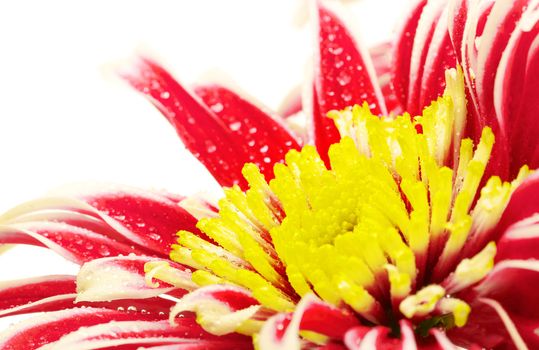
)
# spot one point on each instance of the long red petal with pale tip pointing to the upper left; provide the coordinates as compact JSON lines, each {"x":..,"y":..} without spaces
{"x":202,"y":132}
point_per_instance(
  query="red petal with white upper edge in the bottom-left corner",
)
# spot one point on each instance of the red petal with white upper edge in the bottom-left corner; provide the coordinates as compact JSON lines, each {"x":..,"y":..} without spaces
{"x":49,"y":327}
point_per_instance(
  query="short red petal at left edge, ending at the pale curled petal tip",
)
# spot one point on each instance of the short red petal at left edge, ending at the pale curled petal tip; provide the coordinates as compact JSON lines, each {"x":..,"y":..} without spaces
{"x":37,"y":294}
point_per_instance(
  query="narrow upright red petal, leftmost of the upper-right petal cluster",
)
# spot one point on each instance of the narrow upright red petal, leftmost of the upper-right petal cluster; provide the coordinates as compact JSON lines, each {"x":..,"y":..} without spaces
{"x":403,"y":52}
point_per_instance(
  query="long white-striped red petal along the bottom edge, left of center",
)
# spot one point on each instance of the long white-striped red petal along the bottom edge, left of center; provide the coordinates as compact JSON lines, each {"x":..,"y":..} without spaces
{"x":140,"y":333}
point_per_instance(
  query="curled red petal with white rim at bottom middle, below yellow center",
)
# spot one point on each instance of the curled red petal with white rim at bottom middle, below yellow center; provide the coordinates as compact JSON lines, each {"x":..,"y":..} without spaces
{"x":311,"y":314}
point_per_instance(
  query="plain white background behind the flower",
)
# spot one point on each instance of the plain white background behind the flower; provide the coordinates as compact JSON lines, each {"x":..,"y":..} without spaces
{"x":65,"y":118}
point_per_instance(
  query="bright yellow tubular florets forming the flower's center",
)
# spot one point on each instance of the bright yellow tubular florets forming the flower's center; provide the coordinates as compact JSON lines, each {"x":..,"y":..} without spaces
{"x":393,"y":228}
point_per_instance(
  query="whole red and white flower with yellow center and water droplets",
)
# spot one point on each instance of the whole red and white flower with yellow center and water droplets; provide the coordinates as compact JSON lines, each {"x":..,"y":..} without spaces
{"x":387,"y":232}
